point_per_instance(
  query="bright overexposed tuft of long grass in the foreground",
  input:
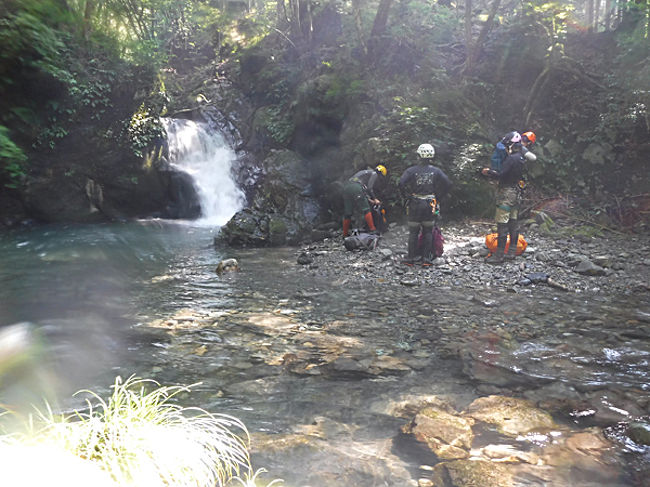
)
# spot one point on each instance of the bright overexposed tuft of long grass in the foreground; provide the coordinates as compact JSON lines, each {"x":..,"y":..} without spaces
{"x":138,"y":437}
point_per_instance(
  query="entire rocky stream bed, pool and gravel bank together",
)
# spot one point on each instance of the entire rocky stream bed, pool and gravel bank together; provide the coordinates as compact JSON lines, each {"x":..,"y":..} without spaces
{"x":351,"y":369}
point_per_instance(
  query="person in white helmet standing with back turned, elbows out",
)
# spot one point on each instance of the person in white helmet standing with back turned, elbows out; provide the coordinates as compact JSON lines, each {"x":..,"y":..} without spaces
{"x":423,"y":184}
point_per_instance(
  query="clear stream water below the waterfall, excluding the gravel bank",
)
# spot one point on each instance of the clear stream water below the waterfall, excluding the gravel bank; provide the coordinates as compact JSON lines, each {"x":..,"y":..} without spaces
{"x":313,"y":362}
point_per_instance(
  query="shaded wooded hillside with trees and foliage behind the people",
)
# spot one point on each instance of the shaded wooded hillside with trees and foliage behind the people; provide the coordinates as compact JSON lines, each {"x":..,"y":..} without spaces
{"x":342,"y":84}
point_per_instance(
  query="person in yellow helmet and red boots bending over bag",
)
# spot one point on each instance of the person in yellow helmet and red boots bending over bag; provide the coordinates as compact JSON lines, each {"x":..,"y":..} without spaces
{"x":359,"y":194}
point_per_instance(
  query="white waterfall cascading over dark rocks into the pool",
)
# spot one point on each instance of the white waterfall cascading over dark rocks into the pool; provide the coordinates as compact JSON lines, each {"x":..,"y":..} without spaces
{"x":205,"y":155}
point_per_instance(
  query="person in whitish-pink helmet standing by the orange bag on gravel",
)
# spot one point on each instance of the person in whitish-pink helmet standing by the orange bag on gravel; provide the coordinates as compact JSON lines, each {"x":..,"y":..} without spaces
{"x":508,"y":199}
